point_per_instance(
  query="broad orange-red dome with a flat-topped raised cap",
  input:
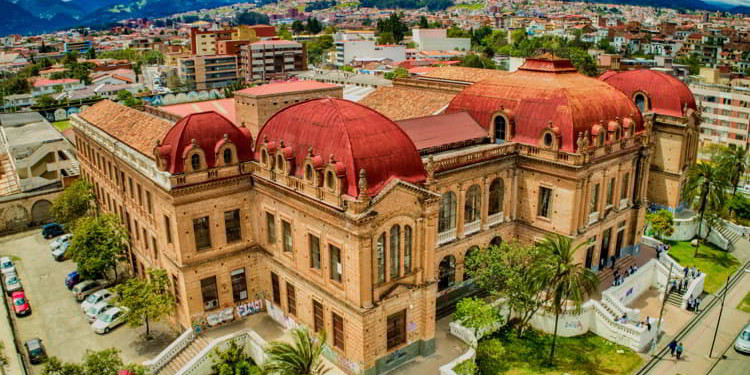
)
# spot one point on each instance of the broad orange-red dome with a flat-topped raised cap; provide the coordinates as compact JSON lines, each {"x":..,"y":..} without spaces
{"x":543,"y":93}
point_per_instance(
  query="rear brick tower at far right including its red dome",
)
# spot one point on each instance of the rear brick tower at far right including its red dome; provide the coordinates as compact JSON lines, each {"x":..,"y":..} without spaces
{"x":672,"y":117}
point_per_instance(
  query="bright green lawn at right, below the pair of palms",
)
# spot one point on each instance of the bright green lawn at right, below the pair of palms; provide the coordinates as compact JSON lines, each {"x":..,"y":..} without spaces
{"x":716,"y":263}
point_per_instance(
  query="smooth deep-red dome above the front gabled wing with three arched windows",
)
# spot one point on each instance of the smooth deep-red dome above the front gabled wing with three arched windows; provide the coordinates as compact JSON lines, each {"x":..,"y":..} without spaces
{"x":356,"y":136}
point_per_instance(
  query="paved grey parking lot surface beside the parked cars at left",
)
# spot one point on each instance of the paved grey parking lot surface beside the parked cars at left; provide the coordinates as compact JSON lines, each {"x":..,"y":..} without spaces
{"x":56,"y":316}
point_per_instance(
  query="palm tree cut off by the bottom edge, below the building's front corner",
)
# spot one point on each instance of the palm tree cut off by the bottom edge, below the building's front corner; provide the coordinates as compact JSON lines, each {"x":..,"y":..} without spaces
{"x":300,"y":358}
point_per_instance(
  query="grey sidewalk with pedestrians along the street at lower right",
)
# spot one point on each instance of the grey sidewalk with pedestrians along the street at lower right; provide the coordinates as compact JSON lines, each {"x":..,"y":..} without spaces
{"x":698,"y":342}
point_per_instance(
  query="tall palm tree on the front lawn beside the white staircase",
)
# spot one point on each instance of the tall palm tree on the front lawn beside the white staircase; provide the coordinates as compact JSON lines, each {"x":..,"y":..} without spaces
{"x":566,"y":279}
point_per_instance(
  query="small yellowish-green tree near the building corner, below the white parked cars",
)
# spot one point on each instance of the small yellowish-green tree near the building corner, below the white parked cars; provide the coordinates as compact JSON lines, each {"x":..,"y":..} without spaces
{"x":147,"y":299}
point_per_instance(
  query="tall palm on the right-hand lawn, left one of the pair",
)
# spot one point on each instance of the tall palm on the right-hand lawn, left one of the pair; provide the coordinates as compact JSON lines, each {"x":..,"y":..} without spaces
{"x":705,"y":189}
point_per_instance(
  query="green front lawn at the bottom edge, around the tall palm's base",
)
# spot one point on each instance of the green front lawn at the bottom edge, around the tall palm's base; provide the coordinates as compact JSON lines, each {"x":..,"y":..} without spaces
{"x":586,"y":354}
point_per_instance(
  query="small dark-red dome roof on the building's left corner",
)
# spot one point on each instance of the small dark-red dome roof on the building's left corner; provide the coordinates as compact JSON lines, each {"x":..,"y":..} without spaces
{"x":209,"y":130}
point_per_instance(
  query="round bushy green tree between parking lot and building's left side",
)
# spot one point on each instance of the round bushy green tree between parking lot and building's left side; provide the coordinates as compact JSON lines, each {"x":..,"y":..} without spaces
{"x":98,"y":245}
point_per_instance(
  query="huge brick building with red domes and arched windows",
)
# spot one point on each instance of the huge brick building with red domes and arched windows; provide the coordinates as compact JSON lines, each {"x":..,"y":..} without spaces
{"x":346,"y":221}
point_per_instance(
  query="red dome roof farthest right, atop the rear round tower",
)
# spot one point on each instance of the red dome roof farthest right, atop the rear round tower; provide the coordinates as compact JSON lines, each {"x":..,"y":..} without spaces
{"x":668,"y":95}
